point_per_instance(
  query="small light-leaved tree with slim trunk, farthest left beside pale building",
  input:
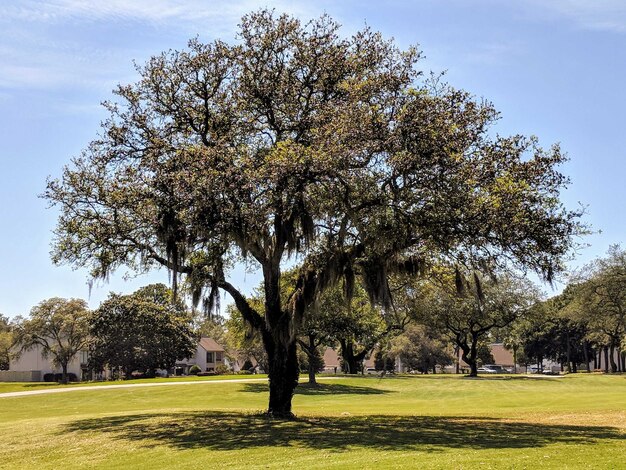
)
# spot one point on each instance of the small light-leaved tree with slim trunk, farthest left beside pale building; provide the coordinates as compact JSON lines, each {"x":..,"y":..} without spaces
{"x":59,"y":327}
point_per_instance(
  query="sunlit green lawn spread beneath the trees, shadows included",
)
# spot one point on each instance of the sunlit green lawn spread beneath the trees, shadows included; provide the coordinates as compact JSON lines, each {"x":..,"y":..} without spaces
{"x":576,"y":421}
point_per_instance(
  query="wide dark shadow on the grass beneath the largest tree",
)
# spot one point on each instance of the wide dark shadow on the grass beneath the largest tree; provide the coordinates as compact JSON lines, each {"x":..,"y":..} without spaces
{"x":232,"y":431}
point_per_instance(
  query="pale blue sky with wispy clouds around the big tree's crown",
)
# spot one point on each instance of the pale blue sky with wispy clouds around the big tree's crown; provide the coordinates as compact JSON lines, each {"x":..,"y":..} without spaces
{"x":554,"y":69}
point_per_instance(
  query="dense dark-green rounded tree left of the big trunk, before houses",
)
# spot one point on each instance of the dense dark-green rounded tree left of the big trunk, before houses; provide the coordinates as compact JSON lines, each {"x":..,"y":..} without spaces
{"x":143,"y":331}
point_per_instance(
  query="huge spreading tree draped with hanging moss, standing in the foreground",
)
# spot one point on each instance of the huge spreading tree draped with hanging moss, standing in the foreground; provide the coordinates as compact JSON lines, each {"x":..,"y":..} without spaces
{"x":296,"y":141}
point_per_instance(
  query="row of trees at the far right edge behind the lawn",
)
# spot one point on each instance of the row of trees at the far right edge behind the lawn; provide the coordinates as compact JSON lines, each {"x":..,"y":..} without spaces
{"x":585,"y":324}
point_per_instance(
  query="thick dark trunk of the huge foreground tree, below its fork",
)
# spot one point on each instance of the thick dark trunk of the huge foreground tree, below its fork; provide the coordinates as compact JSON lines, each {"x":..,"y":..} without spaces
{"x":283,"y":376}
